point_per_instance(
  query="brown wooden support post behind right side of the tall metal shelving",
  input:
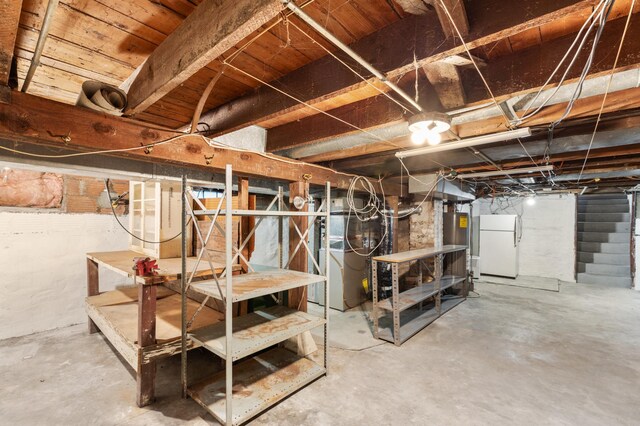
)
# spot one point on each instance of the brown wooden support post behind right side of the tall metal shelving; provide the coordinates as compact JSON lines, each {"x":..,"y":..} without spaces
{"x":298,"y":296}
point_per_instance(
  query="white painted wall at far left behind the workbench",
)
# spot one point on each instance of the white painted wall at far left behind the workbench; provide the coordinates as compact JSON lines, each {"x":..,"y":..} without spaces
{"x":42,"y":259}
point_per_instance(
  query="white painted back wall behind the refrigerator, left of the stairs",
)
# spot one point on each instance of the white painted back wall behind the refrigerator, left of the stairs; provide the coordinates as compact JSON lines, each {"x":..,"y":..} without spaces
{"x":547,"y":244}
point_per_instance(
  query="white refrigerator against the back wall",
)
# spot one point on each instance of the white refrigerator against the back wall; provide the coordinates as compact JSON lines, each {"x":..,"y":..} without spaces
{"x":499,"y":245}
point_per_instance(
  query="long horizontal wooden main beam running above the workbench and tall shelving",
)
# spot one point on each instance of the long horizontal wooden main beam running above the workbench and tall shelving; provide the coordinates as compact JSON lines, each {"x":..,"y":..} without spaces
{"x":30,"y":119}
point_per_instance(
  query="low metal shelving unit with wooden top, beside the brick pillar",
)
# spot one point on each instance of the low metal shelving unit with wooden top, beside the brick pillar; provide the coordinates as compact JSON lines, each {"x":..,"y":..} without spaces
{"x":405,"y":321}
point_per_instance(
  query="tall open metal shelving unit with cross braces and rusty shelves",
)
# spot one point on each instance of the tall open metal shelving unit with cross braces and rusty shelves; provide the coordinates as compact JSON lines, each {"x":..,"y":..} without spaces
{"x":268,"y":376}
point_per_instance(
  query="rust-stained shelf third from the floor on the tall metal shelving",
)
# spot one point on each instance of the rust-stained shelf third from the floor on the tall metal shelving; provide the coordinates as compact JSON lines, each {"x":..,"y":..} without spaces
{"x":256,"y":284}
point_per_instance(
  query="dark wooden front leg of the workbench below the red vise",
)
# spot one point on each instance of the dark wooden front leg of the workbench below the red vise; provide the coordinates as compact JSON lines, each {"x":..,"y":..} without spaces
{"x":146,"y":373}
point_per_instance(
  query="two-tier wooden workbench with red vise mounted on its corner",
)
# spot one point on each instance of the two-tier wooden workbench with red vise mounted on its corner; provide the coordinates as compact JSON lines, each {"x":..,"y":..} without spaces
{"x":142,"y":319}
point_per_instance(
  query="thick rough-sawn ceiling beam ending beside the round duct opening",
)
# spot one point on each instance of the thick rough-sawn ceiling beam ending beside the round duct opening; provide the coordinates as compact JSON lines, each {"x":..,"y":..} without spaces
{"x":214,"y":27}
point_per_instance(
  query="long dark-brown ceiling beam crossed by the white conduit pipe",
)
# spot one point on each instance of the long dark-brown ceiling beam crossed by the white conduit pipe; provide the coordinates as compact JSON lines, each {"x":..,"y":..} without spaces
{"x":391,"y":50}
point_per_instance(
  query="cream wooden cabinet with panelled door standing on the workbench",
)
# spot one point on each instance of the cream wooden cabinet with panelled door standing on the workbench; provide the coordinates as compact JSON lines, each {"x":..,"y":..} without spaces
{"x":155,"y":212}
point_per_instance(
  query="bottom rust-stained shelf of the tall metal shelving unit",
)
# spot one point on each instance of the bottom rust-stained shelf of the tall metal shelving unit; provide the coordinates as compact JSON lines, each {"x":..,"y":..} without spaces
{"x":258,"y":384}
